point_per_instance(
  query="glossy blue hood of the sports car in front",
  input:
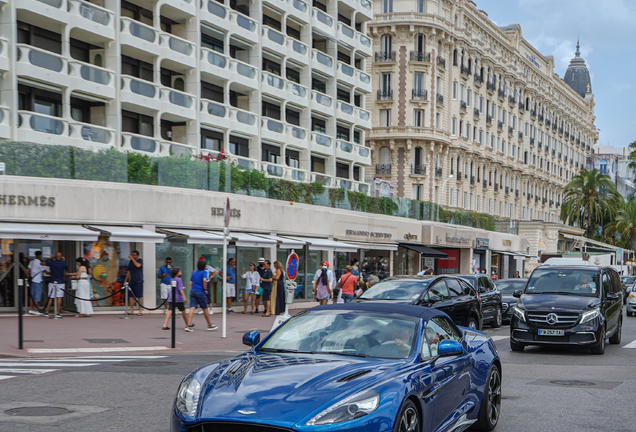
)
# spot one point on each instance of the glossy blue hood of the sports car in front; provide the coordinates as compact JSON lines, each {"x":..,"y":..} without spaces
{"x":281,"y":389}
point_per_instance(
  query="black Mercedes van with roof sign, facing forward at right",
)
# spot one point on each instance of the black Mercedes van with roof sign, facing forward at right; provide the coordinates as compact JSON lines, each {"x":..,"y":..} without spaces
{"x":568,"y":305}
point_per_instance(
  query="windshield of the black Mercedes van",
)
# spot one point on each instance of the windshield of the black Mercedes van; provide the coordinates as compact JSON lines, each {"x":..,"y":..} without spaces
{"x":565,"y":281}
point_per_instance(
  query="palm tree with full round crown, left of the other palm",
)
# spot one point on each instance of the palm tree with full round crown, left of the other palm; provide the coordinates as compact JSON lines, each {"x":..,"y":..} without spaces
{"x":587,"y":198}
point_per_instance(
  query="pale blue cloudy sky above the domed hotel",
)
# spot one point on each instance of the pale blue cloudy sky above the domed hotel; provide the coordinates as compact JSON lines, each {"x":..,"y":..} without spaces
{"x":607,"y":34}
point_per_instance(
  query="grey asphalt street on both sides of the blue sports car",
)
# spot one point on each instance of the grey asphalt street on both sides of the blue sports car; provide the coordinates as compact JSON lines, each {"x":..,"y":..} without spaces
{"x":544,"y":389}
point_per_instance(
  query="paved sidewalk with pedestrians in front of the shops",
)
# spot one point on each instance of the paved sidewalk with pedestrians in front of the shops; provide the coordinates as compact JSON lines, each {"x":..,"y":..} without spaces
{"x":107,"y":333}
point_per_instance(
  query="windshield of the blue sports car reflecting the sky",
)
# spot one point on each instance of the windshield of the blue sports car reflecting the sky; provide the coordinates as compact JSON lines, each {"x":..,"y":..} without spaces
{"x":347,"y":333}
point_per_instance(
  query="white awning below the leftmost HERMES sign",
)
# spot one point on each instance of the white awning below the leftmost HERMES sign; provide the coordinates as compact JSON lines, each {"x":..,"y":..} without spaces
{"x":21,"y":231}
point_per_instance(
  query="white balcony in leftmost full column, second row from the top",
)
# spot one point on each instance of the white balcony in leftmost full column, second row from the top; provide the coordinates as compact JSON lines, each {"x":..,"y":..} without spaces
{"x":41,"y":65}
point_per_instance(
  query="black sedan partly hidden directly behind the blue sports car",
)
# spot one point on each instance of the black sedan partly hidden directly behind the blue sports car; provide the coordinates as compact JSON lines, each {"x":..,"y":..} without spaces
{"x":453,"y":295}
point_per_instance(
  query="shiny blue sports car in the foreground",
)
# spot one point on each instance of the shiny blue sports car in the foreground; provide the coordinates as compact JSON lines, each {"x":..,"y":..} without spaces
{"x":372,"y":367}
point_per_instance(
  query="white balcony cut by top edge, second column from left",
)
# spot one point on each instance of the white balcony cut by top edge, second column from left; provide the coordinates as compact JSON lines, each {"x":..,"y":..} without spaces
{"x":91,"y":18}
